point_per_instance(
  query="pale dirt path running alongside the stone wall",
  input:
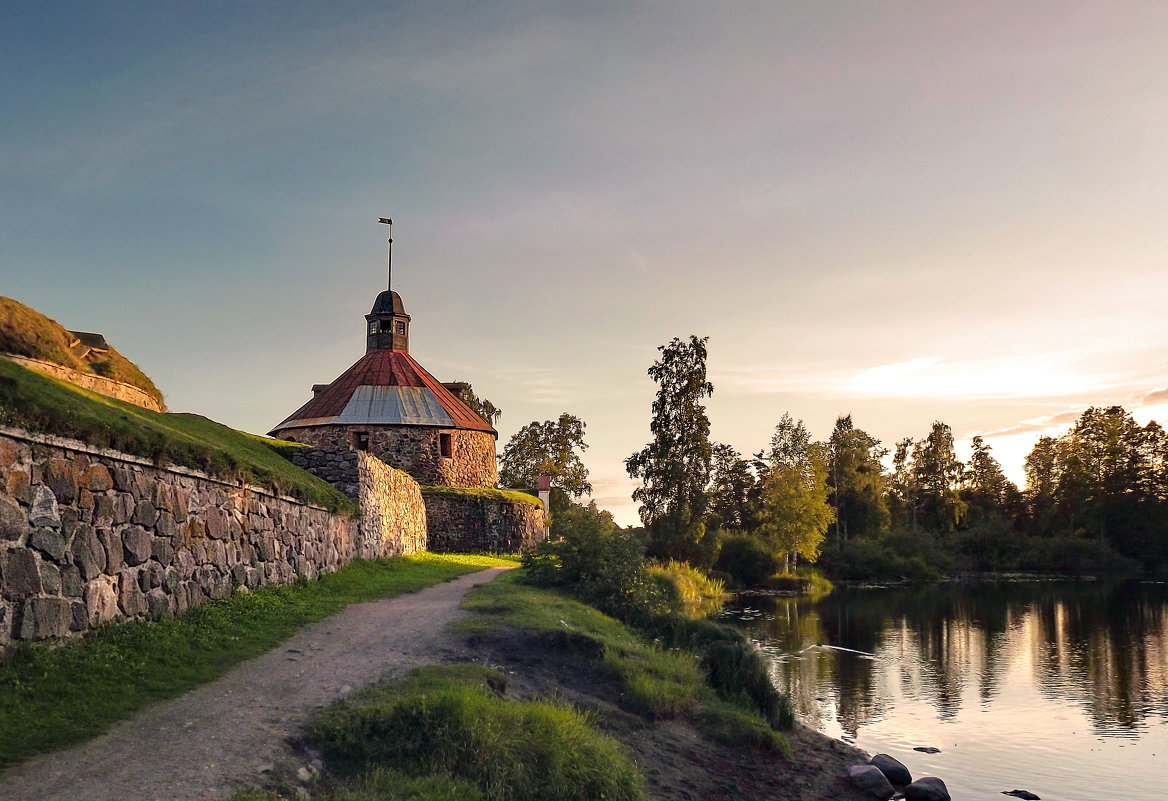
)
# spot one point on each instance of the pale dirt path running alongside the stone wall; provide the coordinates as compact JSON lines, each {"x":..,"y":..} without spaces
{"x":220,"y":739}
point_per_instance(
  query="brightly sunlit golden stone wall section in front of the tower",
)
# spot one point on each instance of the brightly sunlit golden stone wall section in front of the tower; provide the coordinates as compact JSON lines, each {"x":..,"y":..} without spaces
{"x":393,"y":514}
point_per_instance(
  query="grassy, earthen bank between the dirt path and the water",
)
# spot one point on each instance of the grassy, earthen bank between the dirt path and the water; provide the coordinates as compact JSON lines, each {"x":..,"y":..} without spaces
{"x":683,"y":739}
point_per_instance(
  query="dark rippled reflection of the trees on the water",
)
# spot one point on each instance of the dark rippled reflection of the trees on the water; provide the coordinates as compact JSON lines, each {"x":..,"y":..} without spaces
{"x":1102,"y":646}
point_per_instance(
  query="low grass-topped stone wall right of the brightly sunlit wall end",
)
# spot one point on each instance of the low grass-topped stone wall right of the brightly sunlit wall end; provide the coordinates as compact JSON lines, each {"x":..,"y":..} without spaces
{"x":469,"y":523}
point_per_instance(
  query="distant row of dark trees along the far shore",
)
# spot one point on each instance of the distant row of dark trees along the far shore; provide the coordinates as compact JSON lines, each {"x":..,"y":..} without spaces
{"x":1096,"y":500}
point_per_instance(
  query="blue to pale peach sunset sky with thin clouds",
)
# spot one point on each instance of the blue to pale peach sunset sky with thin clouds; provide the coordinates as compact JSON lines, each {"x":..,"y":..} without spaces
{"x":901,"y":211}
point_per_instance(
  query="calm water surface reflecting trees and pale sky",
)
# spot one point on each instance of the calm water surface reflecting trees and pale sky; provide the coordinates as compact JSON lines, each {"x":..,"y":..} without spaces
{"x":1055,"y":687}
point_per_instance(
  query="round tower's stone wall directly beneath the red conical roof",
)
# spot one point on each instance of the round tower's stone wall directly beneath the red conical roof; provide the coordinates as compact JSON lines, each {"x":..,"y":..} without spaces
{"x":416,"y":451}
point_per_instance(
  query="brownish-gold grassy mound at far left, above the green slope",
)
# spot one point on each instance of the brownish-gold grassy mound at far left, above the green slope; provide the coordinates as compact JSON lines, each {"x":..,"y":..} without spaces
{"x":26,"y":332}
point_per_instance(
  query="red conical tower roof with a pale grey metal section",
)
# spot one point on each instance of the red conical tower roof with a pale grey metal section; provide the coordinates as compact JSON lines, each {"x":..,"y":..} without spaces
{"x":387,"y":388}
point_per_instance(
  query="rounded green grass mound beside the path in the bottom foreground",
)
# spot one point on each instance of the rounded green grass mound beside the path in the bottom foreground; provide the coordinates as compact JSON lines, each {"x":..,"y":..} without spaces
{"x":453,"y":722}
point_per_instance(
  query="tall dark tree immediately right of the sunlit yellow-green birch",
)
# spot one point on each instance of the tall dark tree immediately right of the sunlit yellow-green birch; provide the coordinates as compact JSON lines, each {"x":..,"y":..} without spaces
{"x":857,"y":482}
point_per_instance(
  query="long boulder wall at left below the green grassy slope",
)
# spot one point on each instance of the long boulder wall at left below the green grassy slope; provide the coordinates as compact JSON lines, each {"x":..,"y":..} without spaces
{"x":89,"y":535}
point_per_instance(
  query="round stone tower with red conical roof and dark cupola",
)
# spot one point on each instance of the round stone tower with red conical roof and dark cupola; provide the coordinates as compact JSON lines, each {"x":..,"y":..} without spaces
{"x":390,"y":406}
